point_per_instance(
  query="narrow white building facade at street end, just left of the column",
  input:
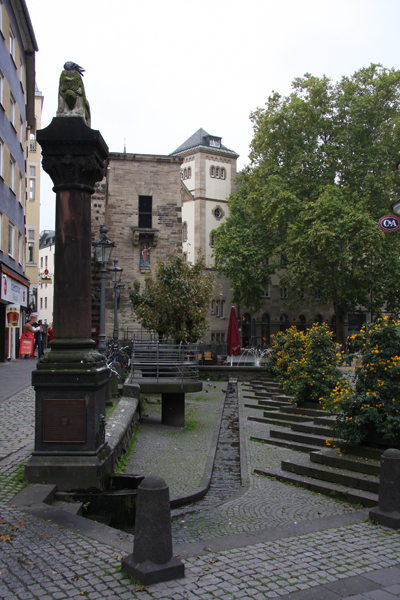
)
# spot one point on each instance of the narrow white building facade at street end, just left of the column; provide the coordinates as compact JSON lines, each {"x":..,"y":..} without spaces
{"x":45,"y":292}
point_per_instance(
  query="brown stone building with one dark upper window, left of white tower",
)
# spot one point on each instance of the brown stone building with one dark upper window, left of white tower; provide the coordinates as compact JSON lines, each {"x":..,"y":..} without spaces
{"x":140,"y":202}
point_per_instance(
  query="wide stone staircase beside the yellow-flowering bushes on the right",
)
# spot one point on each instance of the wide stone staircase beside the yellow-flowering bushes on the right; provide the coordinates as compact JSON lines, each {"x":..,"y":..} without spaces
{"x":351,"y":474}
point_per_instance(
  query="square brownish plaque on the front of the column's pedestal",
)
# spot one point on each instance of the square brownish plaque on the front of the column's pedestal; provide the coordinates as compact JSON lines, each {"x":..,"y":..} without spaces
{"x":64,"y":420}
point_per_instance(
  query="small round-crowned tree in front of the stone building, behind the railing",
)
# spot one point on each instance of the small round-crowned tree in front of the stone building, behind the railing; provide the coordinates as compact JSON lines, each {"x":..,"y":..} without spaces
{"x":176,"y":301}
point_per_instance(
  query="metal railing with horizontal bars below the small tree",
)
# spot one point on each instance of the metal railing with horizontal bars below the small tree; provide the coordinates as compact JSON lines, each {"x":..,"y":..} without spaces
{"x":161,"y":361}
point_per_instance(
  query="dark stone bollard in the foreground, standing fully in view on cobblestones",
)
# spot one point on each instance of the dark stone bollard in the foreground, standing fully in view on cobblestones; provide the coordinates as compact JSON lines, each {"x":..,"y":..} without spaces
{"x":152,"y":560}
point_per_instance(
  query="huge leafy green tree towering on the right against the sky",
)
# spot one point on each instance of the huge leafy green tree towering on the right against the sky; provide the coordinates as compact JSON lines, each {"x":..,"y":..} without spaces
{"x":321,"y":174}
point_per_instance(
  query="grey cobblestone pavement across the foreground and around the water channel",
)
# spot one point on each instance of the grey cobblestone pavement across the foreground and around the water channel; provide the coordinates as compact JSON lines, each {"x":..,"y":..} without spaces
{"x":41,"y":560}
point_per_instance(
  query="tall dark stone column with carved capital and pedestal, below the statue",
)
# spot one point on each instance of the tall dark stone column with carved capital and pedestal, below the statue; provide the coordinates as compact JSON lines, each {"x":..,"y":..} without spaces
{"x":70,"y":381}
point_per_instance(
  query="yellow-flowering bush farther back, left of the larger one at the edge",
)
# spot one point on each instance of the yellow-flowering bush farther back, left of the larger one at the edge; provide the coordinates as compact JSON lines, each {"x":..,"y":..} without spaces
{"x":305,"y":364}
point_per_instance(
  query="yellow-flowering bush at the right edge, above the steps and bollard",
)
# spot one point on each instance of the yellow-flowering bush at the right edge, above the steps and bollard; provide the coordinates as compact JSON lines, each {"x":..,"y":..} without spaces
{"x":373,"y":405}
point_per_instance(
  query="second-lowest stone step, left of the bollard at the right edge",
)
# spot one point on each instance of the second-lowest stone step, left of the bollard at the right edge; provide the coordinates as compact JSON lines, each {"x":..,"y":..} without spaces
{"x":304,"y":466}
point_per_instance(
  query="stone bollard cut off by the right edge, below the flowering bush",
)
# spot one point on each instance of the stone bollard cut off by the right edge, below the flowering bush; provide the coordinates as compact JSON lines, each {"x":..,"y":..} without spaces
{"x":387,"y":513}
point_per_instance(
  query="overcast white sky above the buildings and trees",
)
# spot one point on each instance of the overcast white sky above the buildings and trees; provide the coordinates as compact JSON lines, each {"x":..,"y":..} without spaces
{"x":157,"y":70}
